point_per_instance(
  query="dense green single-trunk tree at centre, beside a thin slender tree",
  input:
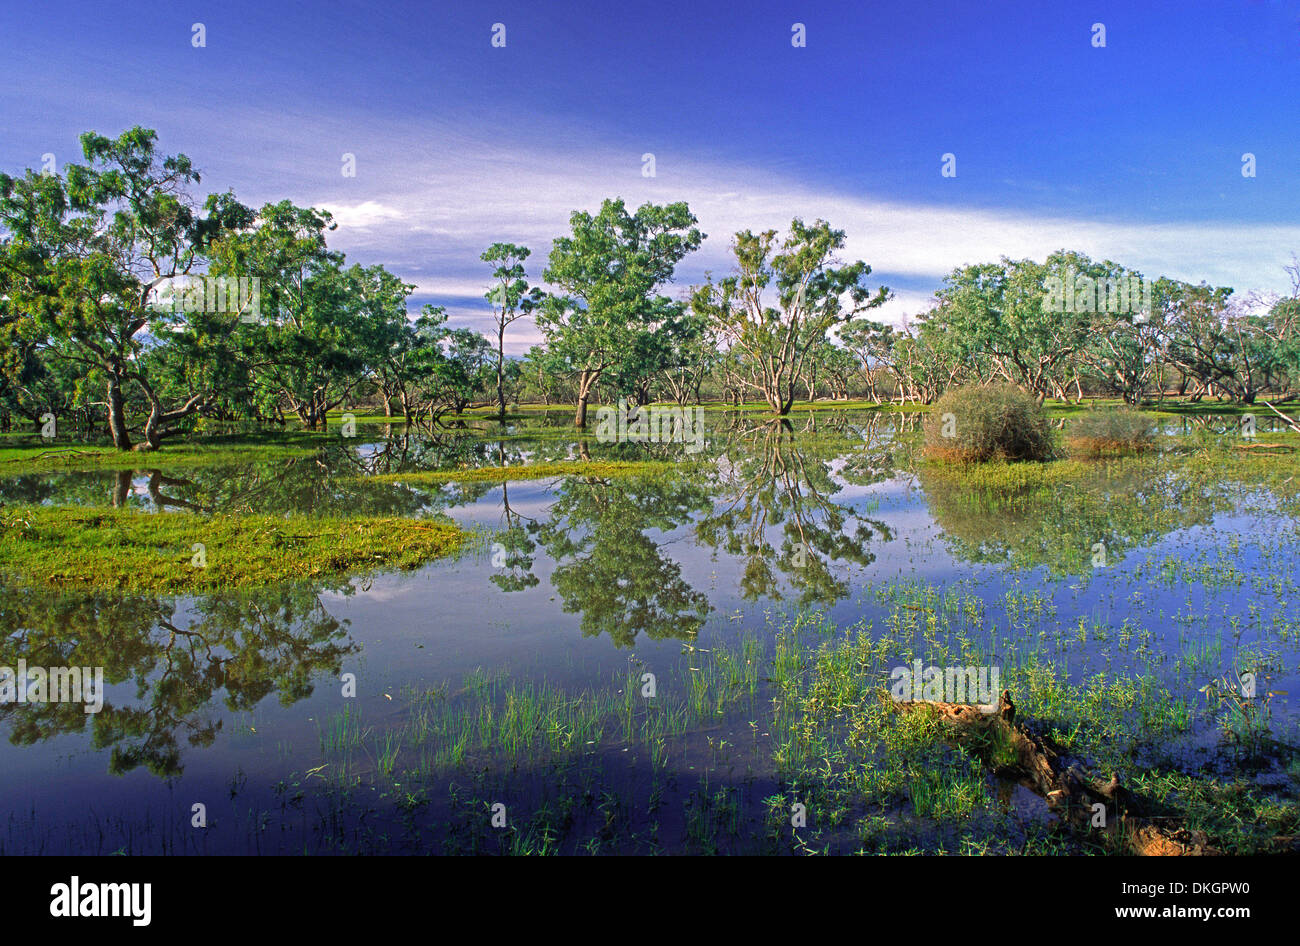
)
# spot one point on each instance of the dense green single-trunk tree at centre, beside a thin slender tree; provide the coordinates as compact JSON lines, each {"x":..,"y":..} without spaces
{"x":610,"y":316}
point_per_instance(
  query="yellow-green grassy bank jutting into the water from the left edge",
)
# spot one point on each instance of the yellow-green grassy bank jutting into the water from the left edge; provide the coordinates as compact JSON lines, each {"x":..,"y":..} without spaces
{"x":133,"y":552}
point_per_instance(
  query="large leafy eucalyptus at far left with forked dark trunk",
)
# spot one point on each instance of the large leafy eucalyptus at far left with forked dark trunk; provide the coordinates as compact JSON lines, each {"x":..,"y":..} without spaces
{"x":84,"y":254}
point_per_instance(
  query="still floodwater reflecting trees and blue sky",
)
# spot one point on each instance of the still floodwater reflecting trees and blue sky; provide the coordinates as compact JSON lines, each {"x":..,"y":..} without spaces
{"x":228,"y":701}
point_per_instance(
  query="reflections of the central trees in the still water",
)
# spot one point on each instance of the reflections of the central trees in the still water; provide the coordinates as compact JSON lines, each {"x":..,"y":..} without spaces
{"x":765,"y":476}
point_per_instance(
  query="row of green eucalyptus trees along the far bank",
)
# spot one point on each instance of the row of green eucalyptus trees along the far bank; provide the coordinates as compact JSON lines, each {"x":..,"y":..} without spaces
{"x":111,"y":322}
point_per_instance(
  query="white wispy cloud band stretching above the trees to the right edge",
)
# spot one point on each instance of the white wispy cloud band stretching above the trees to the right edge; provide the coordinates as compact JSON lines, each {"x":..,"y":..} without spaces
{"x":431,"y":216}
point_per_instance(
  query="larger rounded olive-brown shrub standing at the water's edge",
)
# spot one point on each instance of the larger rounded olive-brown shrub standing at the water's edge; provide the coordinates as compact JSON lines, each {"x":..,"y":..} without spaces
{"x":989,"y":423}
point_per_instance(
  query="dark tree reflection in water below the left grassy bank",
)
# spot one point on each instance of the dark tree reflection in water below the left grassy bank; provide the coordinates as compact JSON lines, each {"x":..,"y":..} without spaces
{"x":242,"y":645}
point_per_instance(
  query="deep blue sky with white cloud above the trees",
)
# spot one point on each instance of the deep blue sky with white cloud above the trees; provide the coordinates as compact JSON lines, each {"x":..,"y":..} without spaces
{"x":1130,"y":153}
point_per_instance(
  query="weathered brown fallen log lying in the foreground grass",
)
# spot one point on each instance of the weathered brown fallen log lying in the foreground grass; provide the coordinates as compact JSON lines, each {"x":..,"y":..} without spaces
{"x":1011,"y":750}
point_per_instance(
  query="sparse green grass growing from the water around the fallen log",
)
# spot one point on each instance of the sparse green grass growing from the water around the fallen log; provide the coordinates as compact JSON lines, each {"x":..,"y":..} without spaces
{"x":808,"y":714}
